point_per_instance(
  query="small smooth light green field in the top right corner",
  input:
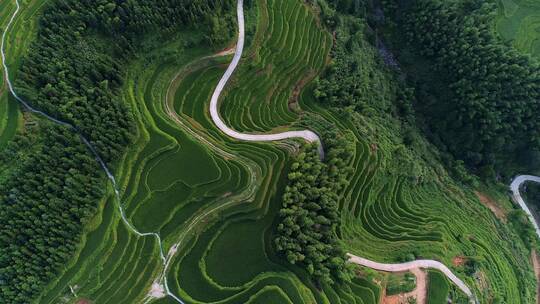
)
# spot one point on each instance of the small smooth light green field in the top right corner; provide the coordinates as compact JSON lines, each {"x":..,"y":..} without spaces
{"x":519,"y":23}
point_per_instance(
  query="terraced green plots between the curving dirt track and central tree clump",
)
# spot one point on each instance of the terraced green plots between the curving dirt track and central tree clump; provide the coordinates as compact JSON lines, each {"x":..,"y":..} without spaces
{"x":231,"y":261}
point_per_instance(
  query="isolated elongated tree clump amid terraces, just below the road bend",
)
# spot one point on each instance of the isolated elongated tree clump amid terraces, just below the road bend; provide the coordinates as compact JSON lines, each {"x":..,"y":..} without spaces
{"x":309,"y":217}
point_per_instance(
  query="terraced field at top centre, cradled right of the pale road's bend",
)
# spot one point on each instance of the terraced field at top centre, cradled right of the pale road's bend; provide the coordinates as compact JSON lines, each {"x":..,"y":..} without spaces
{"x":289,"y":49}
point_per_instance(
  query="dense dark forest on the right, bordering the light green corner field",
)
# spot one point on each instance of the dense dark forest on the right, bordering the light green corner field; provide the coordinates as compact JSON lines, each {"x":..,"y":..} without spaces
{"x":486,"y":106}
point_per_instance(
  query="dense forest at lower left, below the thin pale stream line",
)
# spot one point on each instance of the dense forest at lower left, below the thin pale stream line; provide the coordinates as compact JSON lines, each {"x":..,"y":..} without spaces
{"x":44,"y":205}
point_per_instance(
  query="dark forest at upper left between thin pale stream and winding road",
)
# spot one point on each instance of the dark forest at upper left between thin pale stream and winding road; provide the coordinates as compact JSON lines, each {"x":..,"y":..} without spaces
{"x":75,"y":67}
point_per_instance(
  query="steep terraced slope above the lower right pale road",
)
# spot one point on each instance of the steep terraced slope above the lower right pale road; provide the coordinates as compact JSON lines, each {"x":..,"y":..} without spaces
{"x":389,"y":215}
